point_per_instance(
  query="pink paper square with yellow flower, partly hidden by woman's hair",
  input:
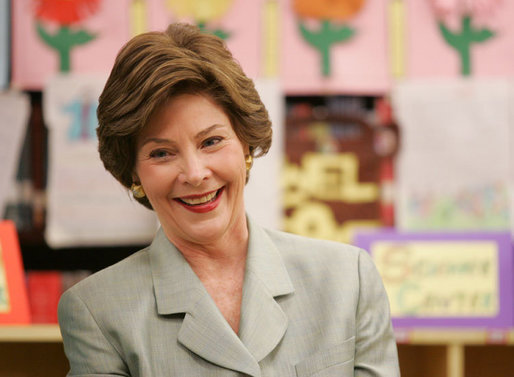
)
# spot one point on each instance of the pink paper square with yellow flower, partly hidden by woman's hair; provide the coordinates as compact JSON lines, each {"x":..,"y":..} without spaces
{"x":241,"y":20}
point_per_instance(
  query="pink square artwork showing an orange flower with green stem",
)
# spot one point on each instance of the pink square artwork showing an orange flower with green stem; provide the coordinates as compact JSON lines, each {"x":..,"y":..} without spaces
{"x":334,"y":46}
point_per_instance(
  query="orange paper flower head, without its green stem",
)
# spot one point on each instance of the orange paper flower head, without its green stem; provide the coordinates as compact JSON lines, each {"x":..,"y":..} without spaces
{"x":339,"y":10}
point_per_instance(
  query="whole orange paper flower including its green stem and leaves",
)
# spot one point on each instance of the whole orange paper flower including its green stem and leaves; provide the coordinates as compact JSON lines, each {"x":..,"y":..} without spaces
{"x":331,"y":15}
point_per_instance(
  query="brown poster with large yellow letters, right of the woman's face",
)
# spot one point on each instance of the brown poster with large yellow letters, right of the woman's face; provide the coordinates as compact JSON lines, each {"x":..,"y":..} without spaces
{"x":331,"y":177}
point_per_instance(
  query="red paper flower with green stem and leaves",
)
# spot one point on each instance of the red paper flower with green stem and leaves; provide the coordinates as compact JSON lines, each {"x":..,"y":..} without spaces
{"x":65,"y":13}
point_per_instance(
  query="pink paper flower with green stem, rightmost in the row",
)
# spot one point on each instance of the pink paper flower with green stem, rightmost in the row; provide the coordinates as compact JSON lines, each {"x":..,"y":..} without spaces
{"x":464,"y":15}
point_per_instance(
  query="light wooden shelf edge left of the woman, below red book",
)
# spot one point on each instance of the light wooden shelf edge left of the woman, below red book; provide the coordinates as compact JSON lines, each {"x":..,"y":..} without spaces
{"x":30,"y":333}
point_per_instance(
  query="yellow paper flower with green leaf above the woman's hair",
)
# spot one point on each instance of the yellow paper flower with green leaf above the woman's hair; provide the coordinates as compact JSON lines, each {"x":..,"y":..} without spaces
{"x":202,"y":12}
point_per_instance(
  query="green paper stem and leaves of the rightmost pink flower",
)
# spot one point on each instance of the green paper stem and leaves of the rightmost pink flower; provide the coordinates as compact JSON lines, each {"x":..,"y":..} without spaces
{"x":462,"y":41}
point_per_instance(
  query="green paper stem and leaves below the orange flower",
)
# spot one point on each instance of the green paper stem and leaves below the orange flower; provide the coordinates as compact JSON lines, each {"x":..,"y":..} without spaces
{"x":324,"y":38}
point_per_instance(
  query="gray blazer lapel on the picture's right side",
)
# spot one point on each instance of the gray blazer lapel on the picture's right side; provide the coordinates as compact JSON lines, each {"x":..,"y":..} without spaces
{"x":263,"y":322}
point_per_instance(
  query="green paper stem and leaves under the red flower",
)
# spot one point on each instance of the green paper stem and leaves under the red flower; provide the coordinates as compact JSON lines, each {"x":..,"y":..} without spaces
{"x":63,"y":41}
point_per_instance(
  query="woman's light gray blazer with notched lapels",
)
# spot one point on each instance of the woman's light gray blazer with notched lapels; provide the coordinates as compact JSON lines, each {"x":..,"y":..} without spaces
{"x":309,"y":308}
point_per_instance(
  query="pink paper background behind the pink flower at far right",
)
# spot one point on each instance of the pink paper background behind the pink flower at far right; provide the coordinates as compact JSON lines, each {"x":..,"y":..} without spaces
{"x":428,"y":55}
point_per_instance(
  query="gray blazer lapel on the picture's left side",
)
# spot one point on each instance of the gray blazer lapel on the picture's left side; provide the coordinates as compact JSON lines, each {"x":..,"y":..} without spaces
{"x":204,"y":331}
